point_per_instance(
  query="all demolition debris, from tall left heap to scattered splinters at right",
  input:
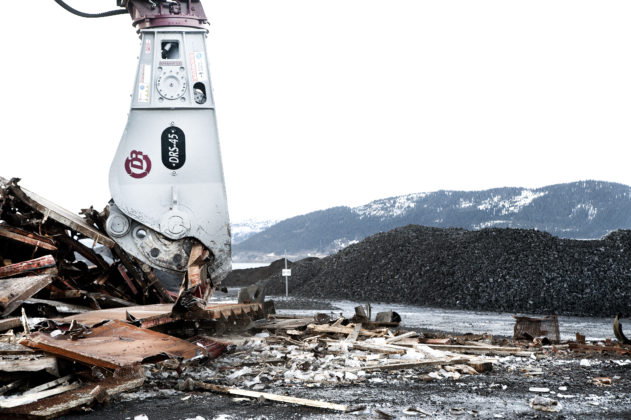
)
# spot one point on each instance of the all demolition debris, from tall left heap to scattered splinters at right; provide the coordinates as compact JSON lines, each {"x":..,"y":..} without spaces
{"x":82,"y":324}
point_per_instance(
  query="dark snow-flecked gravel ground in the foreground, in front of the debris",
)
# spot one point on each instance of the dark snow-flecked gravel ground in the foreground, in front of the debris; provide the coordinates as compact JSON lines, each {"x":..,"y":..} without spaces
{"x":502,"y":393}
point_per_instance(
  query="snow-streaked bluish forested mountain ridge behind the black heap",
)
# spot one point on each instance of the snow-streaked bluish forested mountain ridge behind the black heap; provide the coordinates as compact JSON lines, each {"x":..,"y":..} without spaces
{"x":582,"y":210}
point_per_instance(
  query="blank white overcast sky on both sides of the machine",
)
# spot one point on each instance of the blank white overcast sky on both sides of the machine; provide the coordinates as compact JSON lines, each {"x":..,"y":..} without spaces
{"x":324,"y":103}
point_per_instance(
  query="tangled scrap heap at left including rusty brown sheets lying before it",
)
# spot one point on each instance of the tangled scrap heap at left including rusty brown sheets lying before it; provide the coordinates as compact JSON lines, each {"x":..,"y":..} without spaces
{"x":78,"y":315}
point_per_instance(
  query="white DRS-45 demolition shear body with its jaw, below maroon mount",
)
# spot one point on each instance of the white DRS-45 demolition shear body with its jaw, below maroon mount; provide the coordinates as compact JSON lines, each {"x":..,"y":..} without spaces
{"x":167,"y":179}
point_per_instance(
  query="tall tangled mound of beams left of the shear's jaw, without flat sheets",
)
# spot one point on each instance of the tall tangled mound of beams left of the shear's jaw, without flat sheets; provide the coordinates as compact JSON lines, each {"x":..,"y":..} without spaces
{"x":74,"y":261}
